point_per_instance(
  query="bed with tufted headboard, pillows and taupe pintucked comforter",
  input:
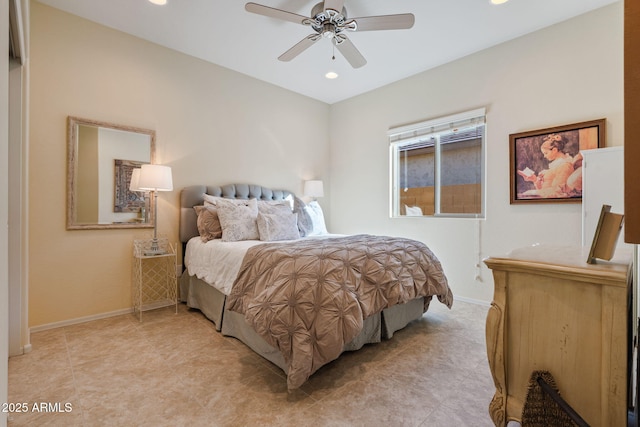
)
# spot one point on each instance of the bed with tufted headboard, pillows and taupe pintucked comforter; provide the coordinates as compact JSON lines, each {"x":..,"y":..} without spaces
{"x":299,"y":302}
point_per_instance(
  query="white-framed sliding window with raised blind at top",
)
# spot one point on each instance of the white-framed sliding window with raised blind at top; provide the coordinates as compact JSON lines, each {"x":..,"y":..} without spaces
{"x":437,"y":167}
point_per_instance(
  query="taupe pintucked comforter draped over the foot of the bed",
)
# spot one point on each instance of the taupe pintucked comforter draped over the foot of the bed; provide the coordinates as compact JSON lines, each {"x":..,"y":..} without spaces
{"x":309,"y":298}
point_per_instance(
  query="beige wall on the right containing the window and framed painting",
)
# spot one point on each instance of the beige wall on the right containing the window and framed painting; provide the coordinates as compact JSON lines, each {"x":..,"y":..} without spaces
{"x":564,"y":74}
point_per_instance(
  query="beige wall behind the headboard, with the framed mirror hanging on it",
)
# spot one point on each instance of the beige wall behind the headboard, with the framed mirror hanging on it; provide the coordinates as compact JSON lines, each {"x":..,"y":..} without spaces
{"x":214,"y":126}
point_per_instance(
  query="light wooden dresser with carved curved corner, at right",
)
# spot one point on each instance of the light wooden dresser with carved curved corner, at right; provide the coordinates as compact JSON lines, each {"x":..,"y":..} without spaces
{"x":552,"y":311}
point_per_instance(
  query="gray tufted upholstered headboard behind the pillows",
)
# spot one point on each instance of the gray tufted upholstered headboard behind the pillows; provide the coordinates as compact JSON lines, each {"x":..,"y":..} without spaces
{"x":192,"y":196}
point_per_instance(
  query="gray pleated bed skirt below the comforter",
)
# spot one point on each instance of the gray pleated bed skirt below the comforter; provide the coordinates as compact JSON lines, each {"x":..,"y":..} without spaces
{"x":211,"y":302}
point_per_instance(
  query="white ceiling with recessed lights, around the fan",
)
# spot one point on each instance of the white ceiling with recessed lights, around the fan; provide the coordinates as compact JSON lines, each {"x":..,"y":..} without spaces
{"x":222,"y":32}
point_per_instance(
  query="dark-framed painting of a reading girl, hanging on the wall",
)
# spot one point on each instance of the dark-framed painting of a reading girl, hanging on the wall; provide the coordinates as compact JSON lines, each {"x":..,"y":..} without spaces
{"x":546,"y":164}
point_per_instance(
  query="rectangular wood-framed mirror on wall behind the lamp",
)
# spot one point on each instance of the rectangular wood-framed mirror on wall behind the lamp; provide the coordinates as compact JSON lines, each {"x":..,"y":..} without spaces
{"x":101,"y":157}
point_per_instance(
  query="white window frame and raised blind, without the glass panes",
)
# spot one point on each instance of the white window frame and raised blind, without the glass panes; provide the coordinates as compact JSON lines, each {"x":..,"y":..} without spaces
{"x":401,"y":136}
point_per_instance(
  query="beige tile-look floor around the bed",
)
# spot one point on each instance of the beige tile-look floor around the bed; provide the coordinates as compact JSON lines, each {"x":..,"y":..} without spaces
{"x":176,"y":370}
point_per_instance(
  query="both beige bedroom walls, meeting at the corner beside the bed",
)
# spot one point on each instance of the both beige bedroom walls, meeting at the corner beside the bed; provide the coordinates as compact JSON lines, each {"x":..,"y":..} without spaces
{"x":217,"y":126}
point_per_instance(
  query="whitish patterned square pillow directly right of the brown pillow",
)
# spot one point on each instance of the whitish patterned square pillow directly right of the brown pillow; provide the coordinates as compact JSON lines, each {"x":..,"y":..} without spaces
{"x":238,"y":219}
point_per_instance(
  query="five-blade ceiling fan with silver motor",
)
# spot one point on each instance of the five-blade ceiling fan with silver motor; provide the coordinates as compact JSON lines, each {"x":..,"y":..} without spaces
{"x":329,"y":20}
